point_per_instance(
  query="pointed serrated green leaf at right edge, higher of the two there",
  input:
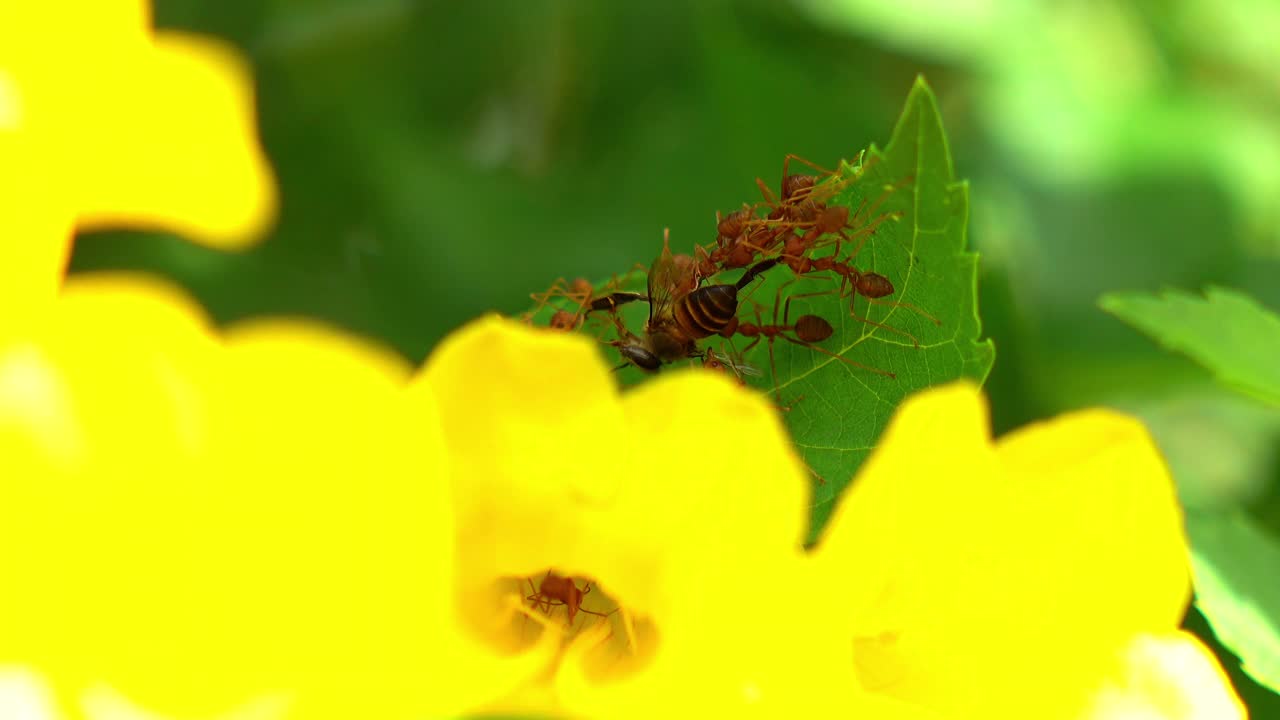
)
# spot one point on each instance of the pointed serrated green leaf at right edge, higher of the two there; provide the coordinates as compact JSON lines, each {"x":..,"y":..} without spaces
{"x":1226,"y":331}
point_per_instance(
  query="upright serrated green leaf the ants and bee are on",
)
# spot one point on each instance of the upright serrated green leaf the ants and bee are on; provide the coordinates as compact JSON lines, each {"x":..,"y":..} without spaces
{"x":838,"y":411}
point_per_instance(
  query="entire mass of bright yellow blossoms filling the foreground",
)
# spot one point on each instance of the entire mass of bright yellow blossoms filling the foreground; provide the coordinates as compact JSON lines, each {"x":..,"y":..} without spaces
{"x":285,"y":522}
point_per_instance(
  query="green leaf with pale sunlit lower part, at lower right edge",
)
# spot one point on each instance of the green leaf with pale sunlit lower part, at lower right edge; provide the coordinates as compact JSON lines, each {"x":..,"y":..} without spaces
{"x":1237,"y":590}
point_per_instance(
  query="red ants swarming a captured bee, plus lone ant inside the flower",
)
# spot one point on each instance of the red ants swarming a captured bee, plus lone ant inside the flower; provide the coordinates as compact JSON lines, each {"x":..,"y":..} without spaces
{"x":793,"y":229}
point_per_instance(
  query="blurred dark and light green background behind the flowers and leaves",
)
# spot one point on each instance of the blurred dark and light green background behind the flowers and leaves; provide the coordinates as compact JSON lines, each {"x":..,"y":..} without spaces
{"x":444,"y":160}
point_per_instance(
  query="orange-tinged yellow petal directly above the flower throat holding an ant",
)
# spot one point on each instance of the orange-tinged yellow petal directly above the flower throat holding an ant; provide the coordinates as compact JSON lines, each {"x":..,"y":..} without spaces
{"x":529,"y":420}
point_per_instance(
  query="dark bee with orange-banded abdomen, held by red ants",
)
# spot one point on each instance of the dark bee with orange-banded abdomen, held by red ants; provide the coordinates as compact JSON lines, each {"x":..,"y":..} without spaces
{"x":680,"y":312}
